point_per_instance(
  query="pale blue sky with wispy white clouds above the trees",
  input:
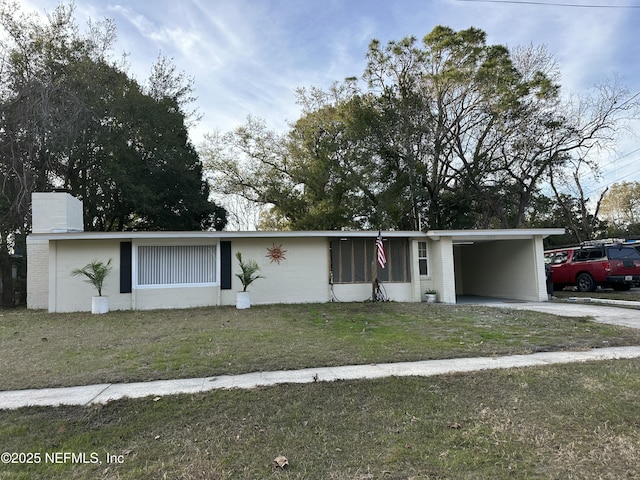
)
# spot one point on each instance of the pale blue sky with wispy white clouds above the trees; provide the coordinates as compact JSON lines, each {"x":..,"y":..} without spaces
{"x":247,"y":57}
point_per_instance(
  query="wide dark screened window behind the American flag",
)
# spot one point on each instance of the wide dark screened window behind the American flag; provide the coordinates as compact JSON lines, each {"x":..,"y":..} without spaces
{"x":351,"y":260}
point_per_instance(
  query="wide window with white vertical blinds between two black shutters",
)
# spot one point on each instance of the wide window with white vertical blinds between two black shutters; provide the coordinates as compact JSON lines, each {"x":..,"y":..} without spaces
{"x":176,"y":265}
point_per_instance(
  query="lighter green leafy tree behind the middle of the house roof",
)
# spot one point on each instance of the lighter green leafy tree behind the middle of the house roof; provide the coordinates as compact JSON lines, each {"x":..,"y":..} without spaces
{"x":329,"y":146}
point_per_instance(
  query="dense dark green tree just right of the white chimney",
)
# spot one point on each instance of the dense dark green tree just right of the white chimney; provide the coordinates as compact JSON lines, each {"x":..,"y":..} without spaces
{"x":137,"y":168}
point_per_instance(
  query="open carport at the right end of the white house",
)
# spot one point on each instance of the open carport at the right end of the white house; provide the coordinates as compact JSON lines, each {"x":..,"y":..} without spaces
{"x":504,"y":264}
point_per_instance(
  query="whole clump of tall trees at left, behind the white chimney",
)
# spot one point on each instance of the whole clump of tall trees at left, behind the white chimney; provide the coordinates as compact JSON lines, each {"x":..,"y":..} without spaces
{"x":74,"y":119}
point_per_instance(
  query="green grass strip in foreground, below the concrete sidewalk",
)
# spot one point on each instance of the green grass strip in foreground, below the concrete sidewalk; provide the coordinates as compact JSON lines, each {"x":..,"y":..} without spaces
{"x":577,"y":421}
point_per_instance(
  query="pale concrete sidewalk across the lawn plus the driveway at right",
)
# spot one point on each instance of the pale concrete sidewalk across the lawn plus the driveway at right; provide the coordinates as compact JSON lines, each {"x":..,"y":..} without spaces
{"x":102,"y":393}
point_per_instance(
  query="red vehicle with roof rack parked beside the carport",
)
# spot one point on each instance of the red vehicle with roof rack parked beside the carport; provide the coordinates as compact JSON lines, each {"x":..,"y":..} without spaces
{"x":616,"y":266}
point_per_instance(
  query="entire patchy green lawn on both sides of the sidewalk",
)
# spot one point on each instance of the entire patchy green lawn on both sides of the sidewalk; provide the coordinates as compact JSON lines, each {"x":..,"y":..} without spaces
{"x":574,"y":421}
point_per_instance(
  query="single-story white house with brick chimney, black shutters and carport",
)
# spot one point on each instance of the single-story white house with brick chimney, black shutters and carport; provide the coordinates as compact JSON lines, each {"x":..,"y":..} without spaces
{"x":153,"y":270}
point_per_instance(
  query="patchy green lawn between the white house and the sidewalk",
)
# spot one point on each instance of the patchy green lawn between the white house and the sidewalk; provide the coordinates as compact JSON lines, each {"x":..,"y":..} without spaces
{"x":45,"y":350}
